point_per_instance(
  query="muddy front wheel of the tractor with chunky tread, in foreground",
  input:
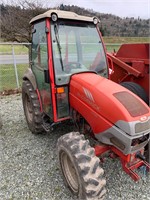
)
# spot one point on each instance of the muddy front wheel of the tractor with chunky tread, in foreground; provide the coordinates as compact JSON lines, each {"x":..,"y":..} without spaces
{"x":80,"y":167}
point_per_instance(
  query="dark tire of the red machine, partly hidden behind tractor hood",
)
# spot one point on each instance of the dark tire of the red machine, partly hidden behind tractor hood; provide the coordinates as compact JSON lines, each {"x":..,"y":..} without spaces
{"x":136,"y":89}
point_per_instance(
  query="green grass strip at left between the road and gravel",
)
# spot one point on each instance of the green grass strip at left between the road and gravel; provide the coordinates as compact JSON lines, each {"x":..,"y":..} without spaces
{"x":8,"y":78}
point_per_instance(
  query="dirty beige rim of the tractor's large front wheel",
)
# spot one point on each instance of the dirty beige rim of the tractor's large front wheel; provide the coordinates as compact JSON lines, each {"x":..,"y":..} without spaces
{"x":69,"y":172}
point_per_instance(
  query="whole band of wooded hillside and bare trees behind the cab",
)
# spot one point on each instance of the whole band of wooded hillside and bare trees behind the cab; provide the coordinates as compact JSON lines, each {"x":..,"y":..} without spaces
{"x":15,"y":22}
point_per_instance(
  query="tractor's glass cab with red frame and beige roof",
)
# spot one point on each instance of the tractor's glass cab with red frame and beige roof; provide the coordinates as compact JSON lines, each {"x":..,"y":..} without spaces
{"x":64,"y":44}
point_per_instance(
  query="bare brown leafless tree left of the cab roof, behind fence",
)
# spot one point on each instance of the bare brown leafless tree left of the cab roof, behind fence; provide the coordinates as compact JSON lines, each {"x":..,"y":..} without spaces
{"x":15,"y":20}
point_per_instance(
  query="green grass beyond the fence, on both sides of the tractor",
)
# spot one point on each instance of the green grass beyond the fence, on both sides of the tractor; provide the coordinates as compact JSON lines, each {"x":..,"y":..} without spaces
{"x":7,"y":72}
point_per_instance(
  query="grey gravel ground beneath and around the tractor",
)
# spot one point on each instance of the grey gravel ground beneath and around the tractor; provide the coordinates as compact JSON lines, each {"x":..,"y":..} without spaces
{"x":29,"y":167}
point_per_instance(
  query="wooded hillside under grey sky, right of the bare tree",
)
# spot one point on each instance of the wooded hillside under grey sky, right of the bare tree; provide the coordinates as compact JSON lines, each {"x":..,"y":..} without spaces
{"x":112,"y":25}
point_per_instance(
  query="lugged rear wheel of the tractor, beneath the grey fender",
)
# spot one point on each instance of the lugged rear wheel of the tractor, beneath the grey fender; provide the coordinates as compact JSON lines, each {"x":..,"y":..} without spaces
{"x":31,"y":108}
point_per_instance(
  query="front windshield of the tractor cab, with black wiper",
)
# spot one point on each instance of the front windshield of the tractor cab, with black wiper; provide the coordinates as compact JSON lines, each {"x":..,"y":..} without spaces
{"x":76,"y":48}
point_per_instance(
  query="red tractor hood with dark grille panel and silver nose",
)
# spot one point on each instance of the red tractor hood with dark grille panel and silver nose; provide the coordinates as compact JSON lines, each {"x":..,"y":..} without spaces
{"x":104,"y":104}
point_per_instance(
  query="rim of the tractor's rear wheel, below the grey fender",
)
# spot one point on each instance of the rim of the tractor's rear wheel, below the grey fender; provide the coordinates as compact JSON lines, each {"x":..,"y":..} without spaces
{"x":28,"y":109}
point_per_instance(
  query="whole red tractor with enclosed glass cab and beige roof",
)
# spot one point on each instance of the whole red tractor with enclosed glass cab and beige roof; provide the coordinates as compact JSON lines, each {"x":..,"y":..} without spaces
{"x":69,"y":80}
